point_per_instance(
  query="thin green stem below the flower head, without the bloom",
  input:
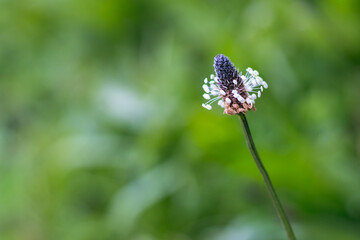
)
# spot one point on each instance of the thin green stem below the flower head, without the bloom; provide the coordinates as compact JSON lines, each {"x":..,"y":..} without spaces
{"x":278,"y":207}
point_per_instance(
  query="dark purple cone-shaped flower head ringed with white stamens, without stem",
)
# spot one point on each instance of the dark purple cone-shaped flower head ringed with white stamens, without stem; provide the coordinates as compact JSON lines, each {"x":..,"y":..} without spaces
{"x":236,"y":93}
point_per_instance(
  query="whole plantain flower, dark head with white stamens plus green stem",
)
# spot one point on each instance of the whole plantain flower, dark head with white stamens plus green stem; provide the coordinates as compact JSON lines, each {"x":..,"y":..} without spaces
{"x":236,"y":93}
